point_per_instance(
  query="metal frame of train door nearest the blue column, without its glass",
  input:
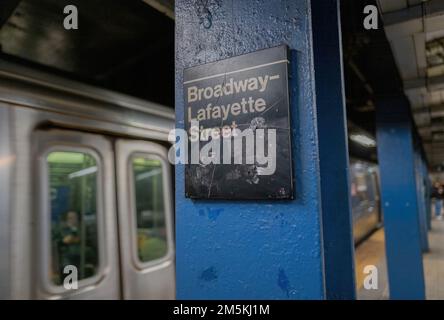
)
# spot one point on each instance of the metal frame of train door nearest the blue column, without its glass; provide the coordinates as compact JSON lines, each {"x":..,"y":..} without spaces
{"x":155,"y":279}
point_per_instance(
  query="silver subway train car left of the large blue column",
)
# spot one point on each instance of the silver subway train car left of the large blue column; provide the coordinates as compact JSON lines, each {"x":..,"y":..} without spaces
{"x":86,"y":191}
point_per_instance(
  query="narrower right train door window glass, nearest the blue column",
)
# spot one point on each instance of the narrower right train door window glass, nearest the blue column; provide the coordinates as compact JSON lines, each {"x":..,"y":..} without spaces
{"x":150,"y":208}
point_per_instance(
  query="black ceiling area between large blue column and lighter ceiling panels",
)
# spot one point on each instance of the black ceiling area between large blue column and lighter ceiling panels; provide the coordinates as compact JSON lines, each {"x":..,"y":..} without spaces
{"x":370,"y":71}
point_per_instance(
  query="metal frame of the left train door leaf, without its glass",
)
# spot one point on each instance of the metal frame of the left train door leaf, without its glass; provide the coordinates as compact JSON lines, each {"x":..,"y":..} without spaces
{"x":105,"y":284}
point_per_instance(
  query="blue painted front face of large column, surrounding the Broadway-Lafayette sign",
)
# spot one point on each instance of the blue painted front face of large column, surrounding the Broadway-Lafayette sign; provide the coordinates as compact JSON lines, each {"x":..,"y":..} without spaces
{"x":251,"y":249}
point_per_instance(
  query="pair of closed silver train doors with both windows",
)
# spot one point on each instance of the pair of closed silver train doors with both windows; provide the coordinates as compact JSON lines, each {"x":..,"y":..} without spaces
{"x":126,"y":253}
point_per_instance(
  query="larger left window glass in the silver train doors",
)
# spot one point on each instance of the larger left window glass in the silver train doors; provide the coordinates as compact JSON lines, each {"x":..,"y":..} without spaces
{"x":73,"y":214}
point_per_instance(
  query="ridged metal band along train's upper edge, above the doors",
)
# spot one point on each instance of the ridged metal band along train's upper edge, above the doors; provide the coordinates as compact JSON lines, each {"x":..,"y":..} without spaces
{"x":117,"y":113}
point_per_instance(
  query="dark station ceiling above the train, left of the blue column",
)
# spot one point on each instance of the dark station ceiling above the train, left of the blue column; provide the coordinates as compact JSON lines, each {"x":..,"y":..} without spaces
{"x":122,"y":45}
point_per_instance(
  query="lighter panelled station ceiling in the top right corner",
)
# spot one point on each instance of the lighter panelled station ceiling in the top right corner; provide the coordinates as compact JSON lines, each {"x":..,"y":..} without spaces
{"x":415,"y":30}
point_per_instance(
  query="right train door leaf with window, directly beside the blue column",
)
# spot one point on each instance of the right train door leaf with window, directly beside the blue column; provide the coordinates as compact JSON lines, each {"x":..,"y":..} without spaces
{"x":145,"y":208}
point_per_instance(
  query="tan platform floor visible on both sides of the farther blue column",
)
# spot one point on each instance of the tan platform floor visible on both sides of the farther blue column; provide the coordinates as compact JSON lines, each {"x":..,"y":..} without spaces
{"x":372,"y":252}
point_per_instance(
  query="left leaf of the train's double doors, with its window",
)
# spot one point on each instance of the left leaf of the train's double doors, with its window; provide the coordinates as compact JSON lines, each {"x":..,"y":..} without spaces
{"x":77,"y":228}
